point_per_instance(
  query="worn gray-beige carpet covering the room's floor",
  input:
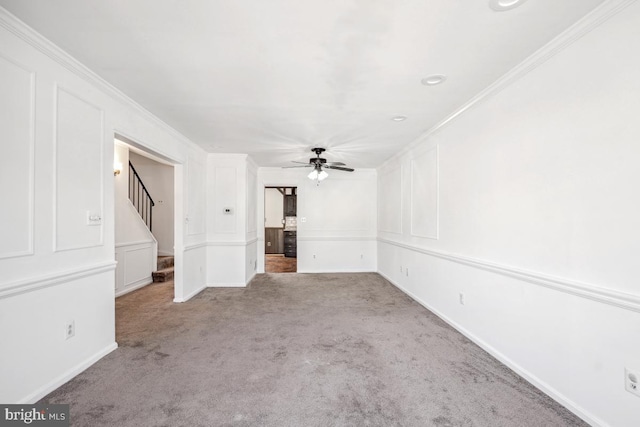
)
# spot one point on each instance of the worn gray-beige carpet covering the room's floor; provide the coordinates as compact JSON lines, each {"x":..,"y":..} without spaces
{"x":298,"y":350}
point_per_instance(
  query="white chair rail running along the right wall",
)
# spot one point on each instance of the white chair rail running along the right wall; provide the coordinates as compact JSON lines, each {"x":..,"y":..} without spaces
{"x":581,"y":289}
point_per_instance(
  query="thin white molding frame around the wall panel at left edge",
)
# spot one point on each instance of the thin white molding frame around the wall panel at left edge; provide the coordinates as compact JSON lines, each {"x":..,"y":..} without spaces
{"x":31,"y":161}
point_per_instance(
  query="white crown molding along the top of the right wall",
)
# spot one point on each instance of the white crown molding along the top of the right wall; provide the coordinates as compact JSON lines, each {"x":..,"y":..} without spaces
{"x":584,"y":26}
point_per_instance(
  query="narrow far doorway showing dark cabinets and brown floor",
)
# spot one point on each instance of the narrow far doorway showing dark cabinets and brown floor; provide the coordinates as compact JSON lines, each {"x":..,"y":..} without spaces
{"x":280,"y":230}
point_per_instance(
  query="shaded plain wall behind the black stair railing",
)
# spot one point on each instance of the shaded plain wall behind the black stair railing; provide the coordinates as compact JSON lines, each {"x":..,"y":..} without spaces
{"x":158,"y":179}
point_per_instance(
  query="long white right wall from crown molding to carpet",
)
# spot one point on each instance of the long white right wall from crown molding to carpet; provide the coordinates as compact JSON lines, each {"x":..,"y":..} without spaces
{"x":527,"y":205}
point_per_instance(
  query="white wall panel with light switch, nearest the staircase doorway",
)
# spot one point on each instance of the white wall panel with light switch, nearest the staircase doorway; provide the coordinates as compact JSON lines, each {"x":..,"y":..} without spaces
{"x":79,"y":142}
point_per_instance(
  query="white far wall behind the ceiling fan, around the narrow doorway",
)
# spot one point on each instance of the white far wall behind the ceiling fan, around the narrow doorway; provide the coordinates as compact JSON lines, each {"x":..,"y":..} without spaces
{"x":336,"y":224}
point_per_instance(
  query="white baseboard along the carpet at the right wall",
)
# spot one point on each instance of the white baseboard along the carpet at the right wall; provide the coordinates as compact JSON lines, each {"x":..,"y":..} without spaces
{"x":534,"y":380}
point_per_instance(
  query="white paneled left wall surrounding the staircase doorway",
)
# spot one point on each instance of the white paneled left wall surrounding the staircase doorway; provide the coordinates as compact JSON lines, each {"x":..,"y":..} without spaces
{"x":58,"y":149}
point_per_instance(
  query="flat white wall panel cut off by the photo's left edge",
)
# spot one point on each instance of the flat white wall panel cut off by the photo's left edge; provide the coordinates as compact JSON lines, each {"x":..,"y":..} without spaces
{"x":17,"y":160}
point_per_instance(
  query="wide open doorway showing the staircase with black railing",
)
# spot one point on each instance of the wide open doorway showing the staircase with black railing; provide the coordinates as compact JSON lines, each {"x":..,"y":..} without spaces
{"x":144,"y":201}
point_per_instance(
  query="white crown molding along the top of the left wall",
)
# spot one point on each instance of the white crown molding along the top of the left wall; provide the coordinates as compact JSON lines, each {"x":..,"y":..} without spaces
{"x":27,"y":34}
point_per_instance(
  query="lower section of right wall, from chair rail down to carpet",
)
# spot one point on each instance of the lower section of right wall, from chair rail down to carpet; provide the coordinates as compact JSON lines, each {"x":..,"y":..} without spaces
{"x":558,"y":340}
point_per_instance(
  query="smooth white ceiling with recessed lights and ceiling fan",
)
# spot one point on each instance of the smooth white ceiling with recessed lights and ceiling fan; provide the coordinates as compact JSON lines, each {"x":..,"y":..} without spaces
{"x":275,"y":78}
